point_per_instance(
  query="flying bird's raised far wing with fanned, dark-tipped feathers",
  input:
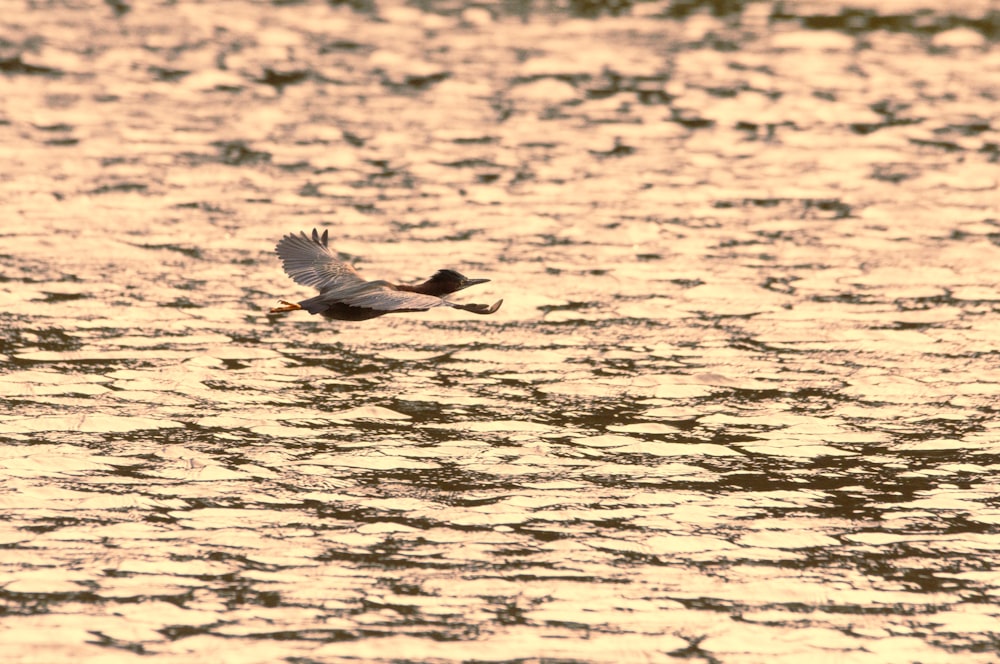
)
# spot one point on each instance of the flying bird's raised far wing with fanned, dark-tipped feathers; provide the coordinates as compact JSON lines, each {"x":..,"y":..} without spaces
{"x":309,"y":261}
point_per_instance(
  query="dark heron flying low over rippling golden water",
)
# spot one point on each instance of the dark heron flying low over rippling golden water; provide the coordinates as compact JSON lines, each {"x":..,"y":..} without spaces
{"x":346,"y":295}
